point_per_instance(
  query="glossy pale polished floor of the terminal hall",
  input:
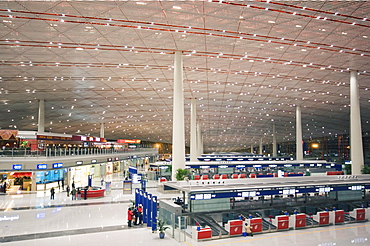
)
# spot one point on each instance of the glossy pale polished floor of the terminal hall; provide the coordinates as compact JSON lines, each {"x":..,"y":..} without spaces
{"x":34,"y":219}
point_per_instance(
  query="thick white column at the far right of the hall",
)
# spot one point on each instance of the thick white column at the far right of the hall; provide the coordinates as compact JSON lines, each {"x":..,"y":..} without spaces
{"x":357,"y":155}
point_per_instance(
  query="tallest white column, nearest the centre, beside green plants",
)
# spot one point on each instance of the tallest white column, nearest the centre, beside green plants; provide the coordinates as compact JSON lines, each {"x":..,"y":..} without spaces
{"x":178,"y":131}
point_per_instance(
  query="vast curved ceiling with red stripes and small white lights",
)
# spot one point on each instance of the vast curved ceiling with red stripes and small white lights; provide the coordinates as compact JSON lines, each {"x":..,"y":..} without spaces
{"x":248,"y":63}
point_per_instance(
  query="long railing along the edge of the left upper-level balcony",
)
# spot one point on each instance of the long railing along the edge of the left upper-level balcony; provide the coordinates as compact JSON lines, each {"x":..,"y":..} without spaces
{"x":53,"y":152}
